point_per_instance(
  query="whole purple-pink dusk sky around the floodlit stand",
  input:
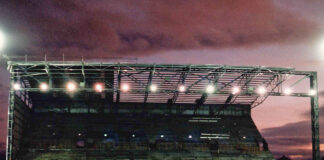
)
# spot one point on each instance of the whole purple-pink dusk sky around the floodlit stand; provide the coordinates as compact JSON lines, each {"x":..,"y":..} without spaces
{"x":277,"y":33}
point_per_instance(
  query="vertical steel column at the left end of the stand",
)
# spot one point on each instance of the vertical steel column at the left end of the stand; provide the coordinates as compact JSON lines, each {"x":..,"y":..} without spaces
{"x":9,"y":154}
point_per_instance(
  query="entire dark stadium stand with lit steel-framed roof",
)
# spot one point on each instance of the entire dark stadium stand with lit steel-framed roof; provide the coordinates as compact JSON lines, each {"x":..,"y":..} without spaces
{"x":101,"y":111}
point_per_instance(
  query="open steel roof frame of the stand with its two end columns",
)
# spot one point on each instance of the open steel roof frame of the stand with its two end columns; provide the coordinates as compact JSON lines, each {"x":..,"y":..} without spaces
{"x":168,"y":78}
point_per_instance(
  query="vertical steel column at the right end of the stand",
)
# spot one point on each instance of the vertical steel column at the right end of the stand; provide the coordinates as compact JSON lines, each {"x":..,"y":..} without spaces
{"x":315,"y":117}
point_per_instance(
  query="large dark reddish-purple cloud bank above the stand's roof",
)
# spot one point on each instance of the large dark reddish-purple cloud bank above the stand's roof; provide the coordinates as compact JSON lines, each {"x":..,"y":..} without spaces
{"x":127,"y":26}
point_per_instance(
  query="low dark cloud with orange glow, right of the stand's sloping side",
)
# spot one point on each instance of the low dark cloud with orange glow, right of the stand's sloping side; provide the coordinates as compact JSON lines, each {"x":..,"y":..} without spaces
{"x":293,"y":139}
